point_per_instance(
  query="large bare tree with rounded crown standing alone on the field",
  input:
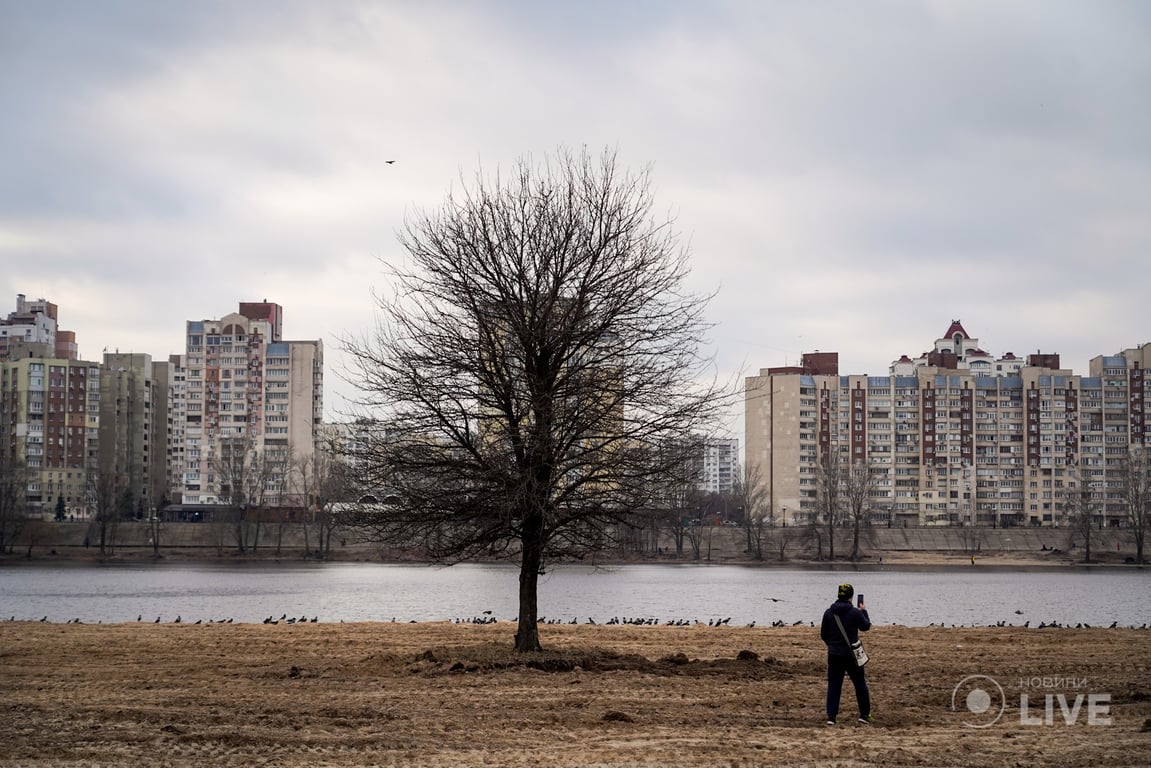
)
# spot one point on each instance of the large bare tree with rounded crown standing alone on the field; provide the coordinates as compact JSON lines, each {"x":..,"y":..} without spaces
{"x":539,"y":346}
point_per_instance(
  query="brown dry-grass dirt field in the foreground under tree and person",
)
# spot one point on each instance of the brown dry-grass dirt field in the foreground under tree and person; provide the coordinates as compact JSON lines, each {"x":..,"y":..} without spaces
{"x":454,"y":695}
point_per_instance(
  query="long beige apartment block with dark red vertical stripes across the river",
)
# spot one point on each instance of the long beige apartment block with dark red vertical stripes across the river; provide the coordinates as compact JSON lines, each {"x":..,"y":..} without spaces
{"x":951,"y":438}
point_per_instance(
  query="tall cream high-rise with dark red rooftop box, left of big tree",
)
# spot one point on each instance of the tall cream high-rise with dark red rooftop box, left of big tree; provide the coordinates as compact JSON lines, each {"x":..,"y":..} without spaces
{"x":248,"y":393}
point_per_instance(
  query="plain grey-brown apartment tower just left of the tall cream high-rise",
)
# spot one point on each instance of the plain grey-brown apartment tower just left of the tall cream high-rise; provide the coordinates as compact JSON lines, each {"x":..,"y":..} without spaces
{"x":134,"y":434}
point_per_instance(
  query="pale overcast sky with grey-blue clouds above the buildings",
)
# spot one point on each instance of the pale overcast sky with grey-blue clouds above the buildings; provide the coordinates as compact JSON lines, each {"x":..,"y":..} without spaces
{"x":852,"y":177}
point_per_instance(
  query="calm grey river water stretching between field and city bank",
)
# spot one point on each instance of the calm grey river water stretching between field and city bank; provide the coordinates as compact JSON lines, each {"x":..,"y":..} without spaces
{"x":371,"y":592}
